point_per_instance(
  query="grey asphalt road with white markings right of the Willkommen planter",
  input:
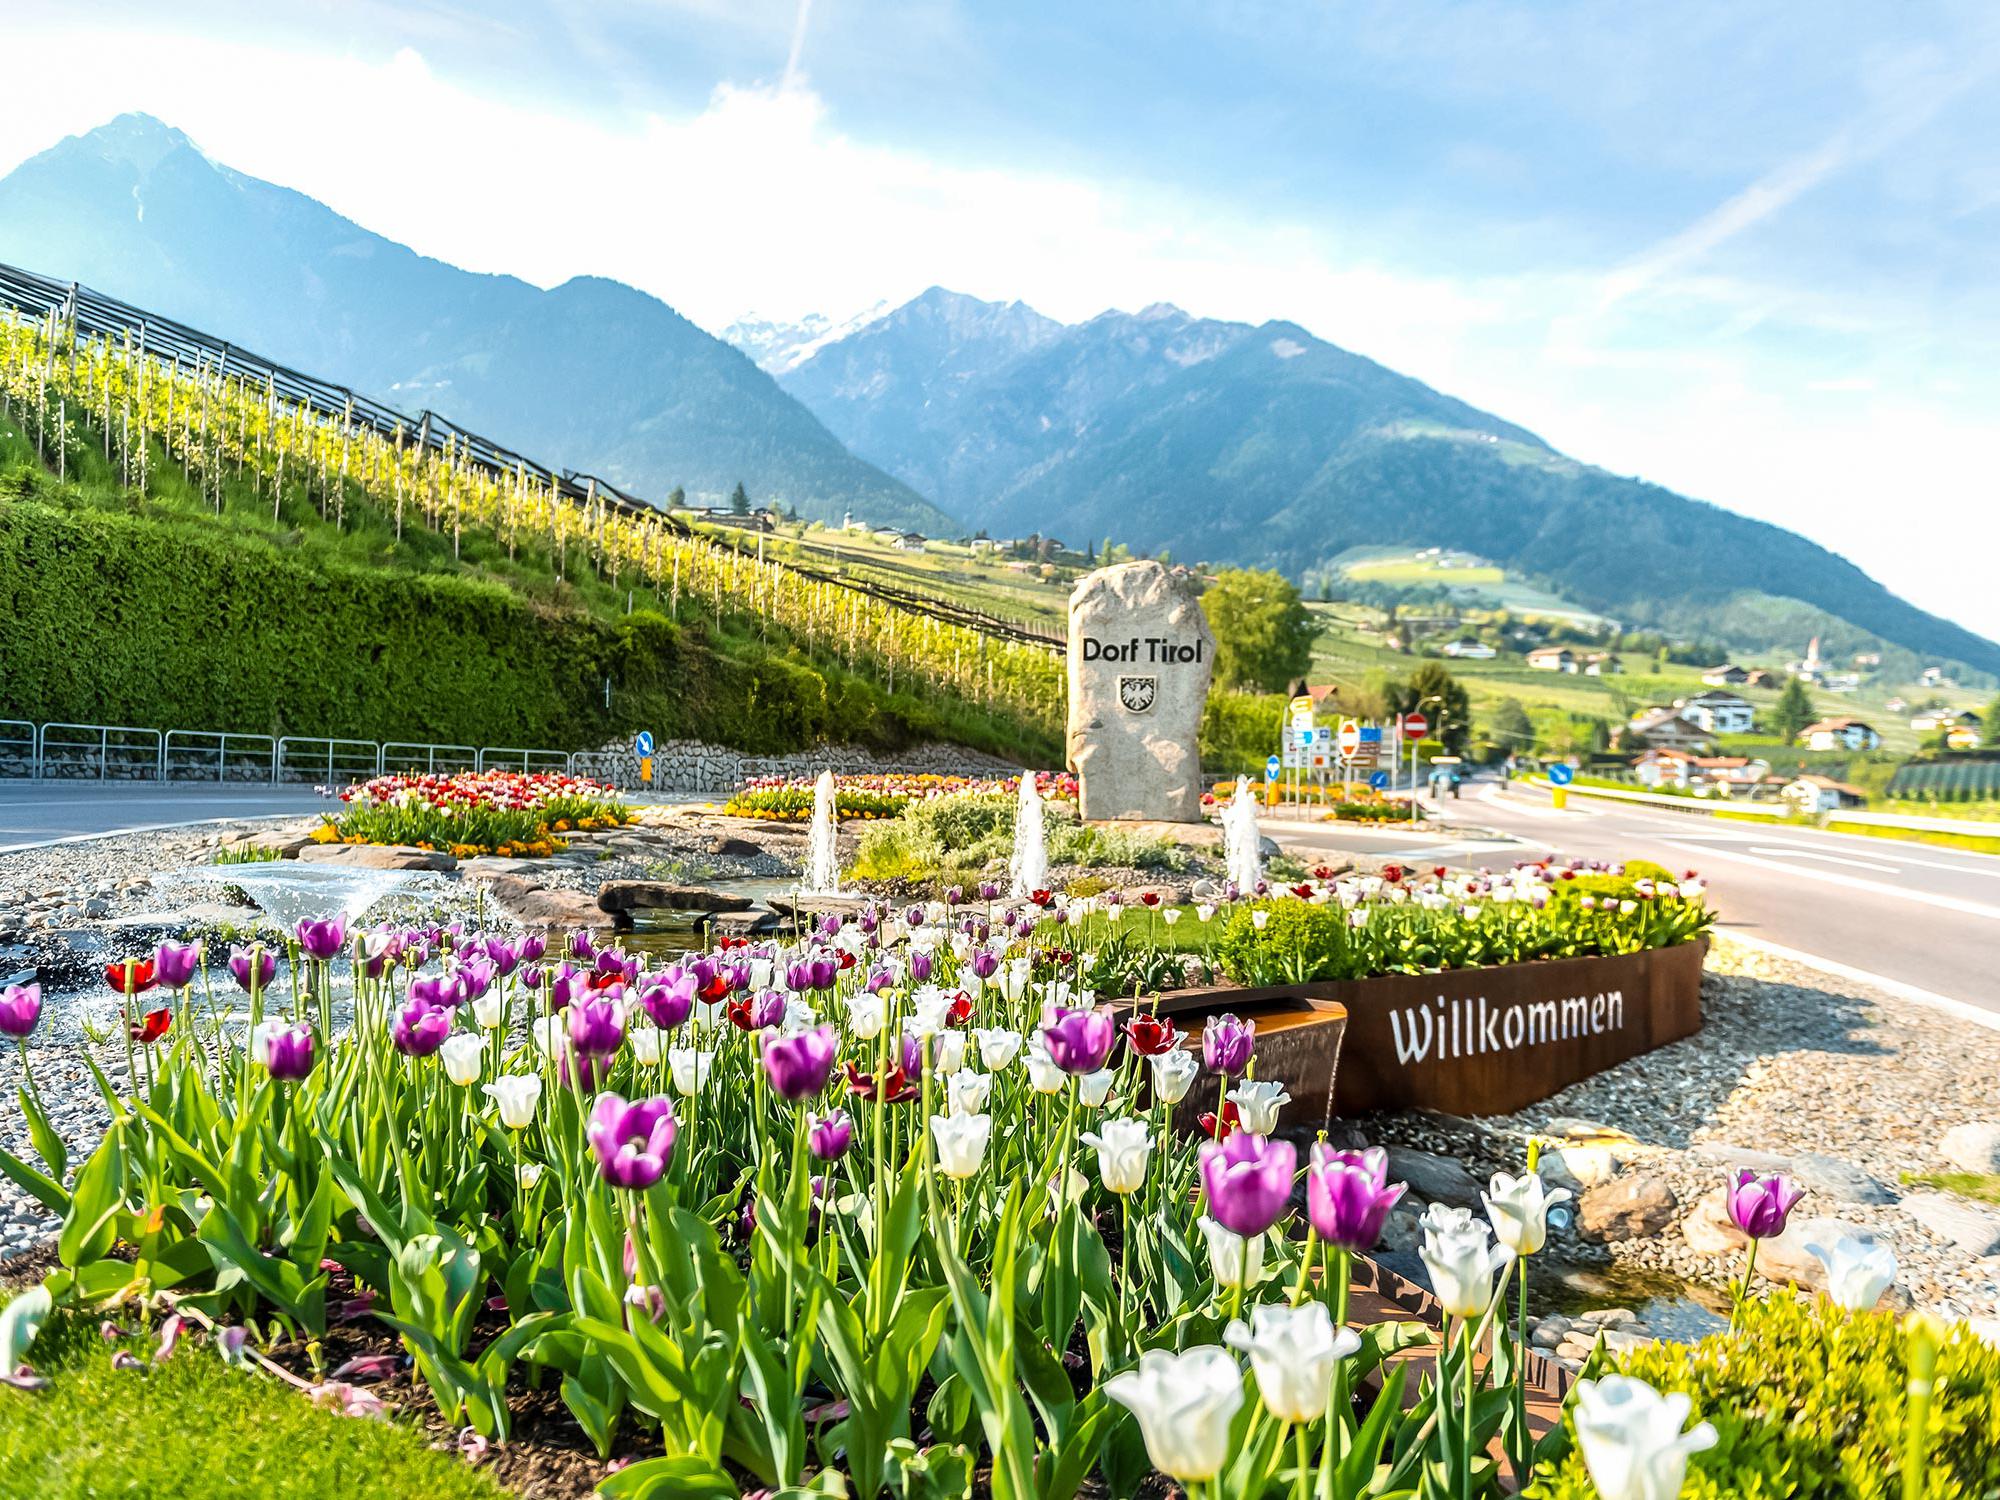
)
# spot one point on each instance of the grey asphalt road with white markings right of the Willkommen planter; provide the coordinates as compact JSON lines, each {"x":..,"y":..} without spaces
{"x":1917,"y":915}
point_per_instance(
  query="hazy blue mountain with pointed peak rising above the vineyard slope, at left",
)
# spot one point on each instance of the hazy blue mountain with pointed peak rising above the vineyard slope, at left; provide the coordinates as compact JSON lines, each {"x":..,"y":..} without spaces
{"x":589,"y":375}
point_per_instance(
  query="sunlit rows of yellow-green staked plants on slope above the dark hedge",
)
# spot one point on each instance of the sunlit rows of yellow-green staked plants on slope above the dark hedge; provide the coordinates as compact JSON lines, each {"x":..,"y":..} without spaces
{"x":247,"y":433}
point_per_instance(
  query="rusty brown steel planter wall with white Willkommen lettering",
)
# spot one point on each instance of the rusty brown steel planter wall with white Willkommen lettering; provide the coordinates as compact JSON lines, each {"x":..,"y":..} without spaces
{"x":1471,"y":1041}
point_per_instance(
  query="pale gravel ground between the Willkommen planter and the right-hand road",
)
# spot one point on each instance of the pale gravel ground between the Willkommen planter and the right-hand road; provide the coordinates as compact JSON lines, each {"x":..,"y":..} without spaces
{"x":1793,"y":1071}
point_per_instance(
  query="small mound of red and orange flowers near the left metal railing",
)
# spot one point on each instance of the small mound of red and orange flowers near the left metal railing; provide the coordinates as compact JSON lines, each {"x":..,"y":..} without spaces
{"x":503,"y":813}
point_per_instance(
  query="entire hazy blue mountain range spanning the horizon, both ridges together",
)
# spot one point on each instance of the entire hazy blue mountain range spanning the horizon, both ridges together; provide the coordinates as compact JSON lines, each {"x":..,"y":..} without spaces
{"x":1217,"y":441}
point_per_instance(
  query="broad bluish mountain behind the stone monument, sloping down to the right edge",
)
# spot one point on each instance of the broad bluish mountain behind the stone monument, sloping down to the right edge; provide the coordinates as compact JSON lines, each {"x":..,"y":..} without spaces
{"x":1267,"y":445}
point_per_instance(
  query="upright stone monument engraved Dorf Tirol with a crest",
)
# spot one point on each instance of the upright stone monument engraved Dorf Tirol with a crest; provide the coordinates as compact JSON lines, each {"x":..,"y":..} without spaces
{"x":1141,"y":657}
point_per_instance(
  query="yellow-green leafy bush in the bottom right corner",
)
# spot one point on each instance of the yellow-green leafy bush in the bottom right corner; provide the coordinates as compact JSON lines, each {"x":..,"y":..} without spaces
{"x":1809,"y":1401}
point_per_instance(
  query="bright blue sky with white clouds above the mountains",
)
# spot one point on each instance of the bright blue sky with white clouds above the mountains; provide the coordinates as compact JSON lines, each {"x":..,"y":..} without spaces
{"x":1741,"y":251}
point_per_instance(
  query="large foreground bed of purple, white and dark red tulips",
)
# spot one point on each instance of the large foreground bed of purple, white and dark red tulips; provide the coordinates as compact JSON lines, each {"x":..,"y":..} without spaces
{"x":867,"y":1211}
